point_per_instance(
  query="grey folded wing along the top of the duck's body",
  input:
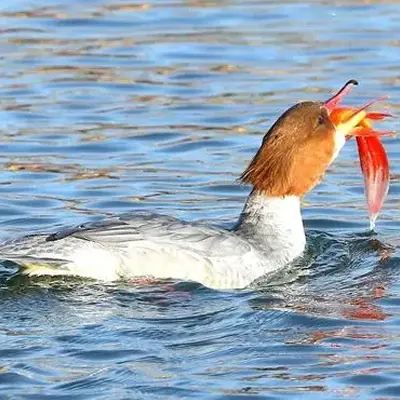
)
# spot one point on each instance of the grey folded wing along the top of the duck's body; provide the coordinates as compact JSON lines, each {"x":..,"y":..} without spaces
{"x":126,"y":229}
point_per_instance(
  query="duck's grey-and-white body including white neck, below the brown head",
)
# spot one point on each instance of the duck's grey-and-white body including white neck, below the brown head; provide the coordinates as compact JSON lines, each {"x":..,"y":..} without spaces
{"x":151,"y":245}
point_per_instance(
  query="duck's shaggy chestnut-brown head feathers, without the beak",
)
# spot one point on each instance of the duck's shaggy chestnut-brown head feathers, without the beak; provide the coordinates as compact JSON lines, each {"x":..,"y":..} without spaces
{"x":294,"y":153}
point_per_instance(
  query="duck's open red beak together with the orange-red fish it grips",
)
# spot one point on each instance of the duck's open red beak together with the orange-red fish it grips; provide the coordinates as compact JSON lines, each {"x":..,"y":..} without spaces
{"x":373,"y":158}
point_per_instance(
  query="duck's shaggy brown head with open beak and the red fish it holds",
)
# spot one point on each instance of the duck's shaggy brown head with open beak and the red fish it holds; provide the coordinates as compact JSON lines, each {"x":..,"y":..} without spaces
{"x":303,"y":142}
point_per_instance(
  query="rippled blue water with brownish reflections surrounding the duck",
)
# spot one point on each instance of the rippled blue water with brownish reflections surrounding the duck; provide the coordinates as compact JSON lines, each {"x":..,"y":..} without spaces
{"x":114,"y":106}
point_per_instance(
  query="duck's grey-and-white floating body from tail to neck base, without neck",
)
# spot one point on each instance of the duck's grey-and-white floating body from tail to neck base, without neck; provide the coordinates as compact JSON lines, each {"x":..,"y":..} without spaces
{"x":143,"y":244}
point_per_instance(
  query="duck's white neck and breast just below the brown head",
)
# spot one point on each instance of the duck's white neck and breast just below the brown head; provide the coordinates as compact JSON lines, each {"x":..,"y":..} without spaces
{"x":274,"y":225}
